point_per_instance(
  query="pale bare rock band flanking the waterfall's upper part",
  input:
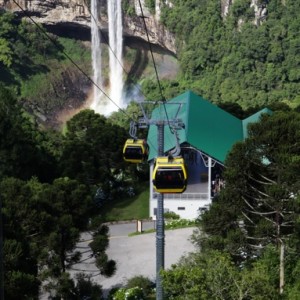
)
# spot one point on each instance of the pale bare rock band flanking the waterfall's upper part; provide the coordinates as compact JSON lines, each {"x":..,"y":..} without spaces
{"x":74,"y":15}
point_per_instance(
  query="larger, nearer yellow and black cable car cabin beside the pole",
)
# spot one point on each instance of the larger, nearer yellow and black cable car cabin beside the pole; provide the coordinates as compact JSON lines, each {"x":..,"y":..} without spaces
{"x":169,"y":175}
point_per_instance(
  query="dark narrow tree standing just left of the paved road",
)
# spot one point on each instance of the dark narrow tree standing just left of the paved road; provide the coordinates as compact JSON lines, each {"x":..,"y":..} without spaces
{"x":70,"y":206}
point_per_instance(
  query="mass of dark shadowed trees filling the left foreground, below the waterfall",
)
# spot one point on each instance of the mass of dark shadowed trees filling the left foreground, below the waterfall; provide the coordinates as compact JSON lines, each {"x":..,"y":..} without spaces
{"x":51,"y":187}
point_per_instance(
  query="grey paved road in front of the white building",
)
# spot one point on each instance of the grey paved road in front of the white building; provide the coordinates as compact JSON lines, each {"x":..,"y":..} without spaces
{"x":136,"y":255}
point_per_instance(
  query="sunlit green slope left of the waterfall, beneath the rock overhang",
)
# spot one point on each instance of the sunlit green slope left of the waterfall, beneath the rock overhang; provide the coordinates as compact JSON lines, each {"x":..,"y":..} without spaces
{"x":33,"y":65}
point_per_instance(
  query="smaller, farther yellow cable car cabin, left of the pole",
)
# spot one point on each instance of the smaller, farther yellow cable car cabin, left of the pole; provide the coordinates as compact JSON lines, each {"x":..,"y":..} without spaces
{"x":135,"y":151}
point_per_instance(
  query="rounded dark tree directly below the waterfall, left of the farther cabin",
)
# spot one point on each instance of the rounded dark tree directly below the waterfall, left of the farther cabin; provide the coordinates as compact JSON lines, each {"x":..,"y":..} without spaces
{"x":93,"y":149}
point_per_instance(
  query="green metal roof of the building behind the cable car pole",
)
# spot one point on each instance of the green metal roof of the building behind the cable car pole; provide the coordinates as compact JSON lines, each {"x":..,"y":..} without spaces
{"x":207,"y":127}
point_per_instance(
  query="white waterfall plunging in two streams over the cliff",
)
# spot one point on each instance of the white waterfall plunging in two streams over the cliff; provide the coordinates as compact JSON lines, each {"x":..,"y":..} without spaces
{"x":101,"y":104}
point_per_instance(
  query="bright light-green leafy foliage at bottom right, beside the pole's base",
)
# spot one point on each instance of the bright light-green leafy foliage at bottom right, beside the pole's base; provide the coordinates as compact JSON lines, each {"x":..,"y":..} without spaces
{"x":213,"y":275}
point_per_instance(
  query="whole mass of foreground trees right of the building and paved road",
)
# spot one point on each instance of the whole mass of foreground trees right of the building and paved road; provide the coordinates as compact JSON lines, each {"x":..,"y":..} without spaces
{"x":248,"y":241}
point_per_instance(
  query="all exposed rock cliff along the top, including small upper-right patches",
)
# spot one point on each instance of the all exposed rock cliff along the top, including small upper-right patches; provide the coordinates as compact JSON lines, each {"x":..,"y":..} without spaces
{"x":72,"y":17}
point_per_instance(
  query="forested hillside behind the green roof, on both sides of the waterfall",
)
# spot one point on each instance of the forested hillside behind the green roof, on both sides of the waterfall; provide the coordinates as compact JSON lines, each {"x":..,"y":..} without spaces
{"x":246,"y":53}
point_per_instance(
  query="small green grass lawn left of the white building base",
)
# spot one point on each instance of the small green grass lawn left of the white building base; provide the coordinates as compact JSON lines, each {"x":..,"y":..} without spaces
{"x":135,"y":208}
